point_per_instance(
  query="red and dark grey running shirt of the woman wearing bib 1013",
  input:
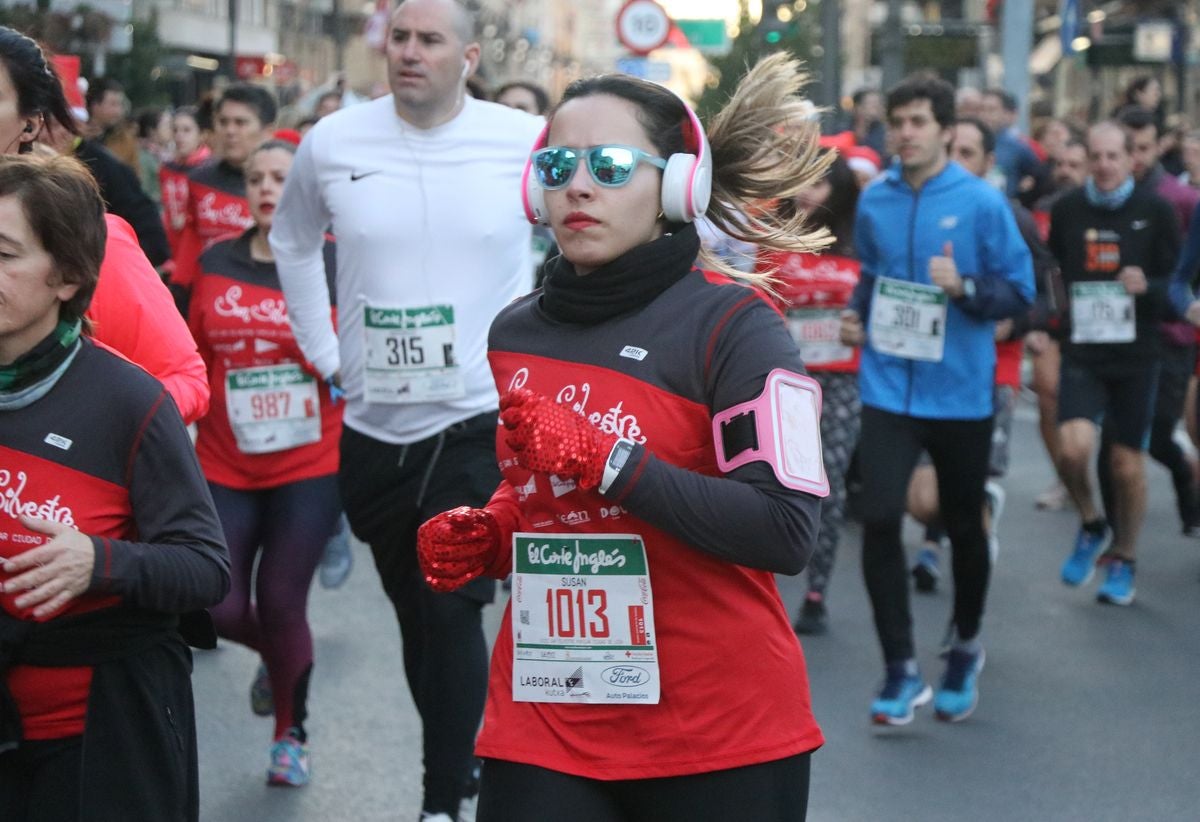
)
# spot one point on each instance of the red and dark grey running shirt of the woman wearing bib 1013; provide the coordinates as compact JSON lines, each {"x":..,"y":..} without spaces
{"x":735,"y":686}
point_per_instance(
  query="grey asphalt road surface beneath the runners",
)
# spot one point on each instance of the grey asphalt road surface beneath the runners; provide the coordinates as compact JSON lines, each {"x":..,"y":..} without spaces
{"x":1088,"y":712}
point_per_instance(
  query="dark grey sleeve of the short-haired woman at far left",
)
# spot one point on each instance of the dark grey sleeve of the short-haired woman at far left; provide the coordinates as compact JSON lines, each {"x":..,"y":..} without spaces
{"x":179,"y":562}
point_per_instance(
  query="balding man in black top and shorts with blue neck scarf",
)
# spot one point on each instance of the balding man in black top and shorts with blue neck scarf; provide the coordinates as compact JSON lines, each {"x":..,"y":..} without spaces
{"x":1118,"y":247}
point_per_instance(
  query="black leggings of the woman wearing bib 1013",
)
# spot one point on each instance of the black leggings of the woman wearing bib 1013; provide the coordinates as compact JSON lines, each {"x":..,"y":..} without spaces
{"x":769,"y":793}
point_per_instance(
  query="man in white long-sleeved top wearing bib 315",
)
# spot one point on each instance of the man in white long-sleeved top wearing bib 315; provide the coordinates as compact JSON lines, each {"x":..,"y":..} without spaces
{"x":423,"y":190}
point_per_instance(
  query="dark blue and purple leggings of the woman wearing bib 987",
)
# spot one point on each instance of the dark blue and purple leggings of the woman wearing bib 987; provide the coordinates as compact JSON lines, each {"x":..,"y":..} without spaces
{"x":291,"y":524}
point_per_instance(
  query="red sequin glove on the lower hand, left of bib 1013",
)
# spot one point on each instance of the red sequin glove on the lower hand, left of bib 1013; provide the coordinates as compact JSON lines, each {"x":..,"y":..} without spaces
{"x":458,"y":547}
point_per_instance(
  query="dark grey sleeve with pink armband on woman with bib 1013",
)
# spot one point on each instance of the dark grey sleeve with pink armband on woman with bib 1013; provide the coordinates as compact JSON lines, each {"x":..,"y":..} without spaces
{"x":747,"y":518}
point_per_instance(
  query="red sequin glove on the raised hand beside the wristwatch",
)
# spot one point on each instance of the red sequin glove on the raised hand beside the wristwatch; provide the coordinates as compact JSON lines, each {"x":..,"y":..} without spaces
{"x":551,"y":439}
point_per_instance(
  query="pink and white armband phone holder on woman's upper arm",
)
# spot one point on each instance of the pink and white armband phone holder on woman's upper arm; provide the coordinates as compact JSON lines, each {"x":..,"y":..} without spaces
{"x":782,"y":428}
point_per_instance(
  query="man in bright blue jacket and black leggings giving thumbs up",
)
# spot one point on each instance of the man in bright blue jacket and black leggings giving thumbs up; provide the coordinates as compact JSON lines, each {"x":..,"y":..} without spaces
{"x":943,"y":260}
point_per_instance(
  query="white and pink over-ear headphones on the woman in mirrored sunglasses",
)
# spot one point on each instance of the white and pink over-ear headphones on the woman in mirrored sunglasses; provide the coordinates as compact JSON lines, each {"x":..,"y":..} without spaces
{"x":687,"y":181}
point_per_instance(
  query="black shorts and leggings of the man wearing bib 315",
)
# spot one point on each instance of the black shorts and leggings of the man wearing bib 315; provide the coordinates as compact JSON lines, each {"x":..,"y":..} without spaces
{"x":388,"y":491}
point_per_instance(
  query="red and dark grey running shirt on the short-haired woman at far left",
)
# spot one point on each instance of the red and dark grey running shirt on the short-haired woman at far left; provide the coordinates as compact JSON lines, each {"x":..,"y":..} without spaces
{"x":106,"y":453}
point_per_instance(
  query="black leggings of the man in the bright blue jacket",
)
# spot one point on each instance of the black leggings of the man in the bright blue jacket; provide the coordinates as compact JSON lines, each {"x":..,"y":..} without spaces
{"x":889,"y":451}
